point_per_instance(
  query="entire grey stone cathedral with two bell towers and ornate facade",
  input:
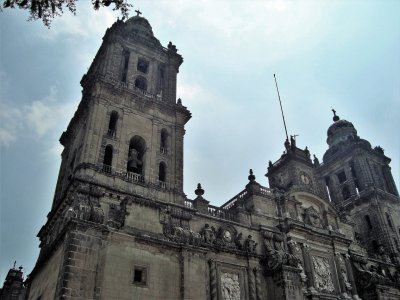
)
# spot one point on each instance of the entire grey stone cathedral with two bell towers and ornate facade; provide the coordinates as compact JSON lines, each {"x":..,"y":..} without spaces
{"x":121,"y":226}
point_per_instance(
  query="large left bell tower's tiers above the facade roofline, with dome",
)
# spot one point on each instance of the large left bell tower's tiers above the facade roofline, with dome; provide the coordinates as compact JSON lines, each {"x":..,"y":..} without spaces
{"x":128,"y":129}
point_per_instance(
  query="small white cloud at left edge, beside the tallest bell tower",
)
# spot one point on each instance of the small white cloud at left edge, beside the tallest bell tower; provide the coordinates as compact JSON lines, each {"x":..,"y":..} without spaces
{"x":38,"y":118}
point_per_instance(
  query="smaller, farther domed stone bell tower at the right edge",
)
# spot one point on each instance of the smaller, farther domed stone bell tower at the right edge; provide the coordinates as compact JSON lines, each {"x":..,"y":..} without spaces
{"x":359,"y":181}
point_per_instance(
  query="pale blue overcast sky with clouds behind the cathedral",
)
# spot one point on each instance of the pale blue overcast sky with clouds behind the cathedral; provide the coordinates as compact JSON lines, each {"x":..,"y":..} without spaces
{"x":340,"y":54}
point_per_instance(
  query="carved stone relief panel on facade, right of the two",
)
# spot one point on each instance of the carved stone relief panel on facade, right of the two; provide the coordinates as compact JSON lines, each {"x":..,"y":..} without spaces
{"x":322,"y":274}
